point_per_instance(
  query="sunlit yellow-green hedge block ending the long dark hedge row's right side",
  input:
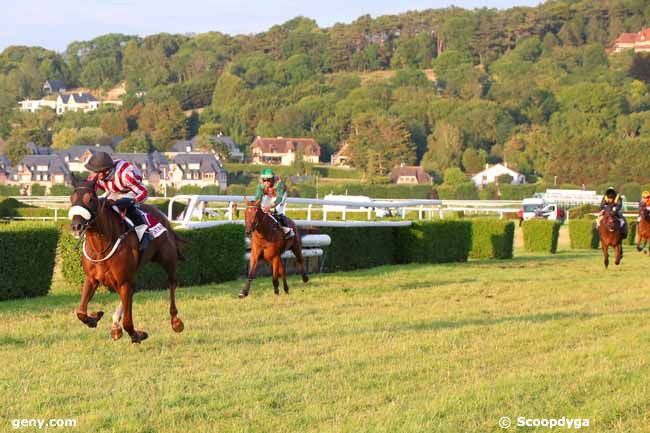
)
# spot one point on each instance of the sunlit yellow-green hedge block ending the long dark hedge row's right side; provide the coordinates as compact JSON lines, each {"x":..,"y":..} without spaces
{"x":492,"y":238}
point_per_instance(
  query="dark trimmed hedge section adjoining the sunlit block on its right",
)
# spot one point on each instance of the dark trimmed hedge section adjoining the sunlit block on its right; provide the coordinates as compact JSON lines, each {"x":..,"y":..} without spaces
{"x":434,"y":242}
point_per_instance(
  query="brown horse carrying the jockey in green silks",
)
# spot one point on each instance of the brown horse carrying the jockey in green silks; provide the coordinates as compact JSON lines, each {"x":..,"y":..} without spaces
{"x":268,"y":243}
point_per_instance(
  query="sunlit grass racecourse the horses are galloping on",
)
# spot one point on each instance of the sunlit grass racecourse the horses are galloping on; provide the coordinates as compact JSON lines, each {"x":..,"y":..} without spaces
{"x":417,"y":348}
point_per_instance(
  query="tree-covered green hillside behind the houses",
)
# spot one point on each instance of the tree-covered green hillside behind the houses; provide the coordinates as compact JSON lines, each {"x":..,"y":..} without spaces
{"x":537,"y":87}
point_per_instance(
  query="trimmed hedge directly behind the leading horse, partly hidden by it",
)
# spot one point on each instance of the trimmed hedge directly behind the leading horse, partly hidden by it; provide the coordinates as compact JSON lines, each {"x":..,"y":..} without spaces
{"x":214,"y":255}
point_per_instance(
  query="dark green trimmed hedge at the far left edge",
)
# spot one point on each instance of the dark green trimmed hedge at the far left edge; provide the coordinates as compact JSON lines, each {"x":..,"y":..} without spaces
{"x":27,"y":256}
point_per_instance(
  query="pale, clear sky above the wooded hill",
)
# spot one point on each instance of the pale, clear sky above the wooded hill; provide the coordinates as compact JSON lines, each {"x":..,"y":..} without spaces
{"x":55,"y":24}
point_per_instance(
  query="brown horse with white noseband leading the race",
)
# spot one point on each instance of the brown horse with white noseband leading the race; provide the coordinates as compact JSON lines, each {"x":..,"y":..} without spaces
{"x":111,"y":256}
